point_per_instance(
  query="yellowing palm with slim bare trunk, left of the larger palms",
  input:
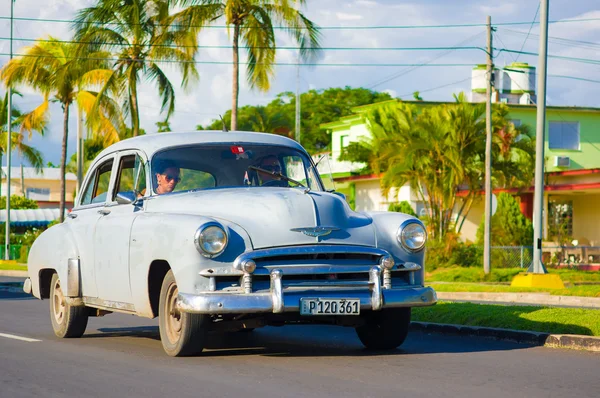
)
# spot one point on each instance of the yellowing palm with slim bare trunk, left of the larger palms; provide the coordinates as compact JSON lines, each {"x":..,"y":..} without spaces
{"x":53,"y":68}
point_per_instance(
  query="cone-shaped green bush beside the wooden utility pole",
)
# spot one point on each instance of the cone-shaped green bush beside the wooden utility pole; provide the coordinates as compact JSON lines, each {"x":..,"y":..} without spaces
{"x":509,"y":226}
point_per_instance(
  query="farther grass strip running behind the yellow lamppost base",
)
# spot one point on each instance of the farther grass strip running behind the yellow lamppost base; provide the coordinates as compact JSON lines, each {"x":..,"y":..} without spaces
{"x":476,"y":274}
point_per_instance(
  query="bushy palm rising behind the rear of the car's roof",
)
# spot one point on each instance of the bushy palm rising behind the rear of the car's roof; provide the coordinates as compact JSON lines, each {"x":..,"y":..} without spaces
{"x":140,"y":34}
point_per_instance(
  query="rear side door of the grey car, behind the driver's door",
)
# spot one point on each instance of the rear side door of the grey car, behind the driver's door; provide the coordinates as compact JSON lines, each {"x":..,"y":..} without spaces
{"x":82,"y":220}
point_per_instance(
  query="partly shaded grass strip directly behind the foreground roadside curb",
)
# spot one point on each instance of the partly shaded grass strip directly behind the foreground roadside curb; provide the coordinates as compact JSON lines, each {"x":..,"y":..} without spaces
{"x":537,"y":319}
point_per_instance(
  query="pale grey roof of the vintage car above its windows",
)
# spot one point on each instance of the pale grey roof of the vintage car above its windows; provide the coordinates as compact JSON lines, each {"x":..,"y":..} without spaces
{"x":154,"y":142}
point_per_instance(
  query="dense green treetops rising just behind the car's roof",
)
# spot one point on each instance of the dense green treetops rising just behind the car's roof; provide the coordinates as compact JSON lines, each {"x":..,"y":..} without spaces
{"x":317,"y":107}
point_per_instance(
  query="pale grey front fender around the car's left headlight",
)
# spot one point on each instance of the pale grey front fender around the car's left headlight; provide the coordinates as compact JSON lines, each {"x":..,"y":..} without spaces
{"x":170,"y":237}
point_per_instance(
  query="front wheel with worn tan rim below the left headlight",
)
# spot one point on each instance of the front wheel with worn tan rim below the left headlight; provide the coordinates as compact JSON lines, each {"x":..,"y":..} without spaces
{"x":181,"y":333}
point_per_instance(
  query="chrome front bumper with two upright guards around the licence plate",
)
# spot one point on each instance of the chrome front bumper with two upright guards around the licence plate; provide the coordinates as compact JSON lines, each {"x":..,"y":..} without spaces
{"x":278,"y":300}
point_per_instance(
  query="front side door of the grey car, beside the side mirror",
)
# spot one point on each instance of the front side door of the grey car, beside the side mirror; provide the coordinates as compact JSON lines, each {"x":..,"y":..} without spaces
{"x":113,"y":229}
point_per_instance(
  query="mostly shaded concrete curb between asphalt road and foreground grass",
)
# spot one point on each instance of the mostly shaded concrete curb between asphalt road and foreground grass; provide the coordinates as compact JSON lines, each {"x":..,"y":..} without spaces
{"x":569,"y":341}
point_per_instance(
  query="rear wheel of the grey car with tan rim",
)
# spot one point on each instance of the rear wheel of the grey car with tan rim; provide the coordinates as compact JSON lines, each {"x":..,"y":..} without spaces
{"x":67,"y":320}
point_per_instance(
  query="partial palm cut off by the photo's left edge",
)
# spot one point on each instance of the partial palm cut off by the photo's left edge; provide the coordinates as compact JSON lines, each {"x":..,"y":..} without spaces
{"x":22,"y":123}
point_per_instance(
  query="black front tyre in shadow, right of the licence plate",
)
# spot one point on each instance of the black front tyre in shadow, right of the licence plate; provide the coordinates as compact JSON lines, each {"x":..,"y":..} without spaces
{"x":384,"y":330}
